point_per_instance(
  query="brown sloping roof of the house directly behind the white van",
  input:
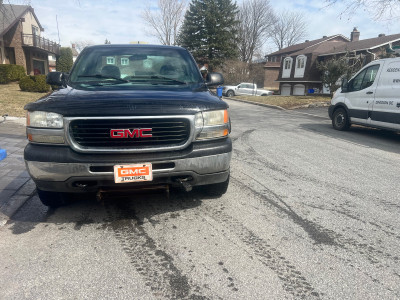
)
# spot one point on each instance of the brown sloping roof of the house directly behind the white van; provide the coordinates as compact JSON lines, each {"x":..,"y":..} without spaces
{"x":366,"y":44}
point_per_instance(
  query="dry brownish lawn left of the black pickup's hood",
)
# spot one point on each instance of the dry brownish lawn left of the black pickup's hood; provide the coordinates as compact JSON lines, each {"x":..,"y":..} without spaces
{"x":13,"y":100}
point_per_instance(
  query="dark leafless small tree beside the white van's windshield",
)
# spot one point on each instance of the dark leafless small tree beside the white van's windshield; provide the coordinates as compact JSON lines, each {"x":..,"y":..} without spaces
{"x":338,"y":67}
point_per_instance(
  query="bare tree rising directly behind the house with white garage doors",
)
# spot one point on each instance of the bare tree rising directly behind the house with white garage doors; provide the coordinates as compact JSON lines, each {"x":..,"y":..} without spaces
{"x":289,"y":28}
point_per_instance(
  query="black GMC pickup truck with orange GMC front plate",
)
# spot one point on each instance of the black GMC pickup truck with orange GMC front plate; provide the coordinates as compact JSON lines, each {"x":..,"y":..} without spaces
{"x":128,"y":116}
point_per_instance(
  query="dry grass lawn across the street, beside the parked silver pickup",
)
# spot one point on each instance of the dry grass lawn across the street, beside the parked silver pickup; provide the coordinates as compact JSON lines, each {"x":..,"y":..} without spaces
{"x":287,"y":102}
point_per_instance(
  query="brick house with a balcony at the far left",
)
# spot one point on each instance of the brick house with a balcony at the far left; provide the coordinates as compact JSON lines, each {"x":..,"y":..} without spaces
{"x":21,"y":40}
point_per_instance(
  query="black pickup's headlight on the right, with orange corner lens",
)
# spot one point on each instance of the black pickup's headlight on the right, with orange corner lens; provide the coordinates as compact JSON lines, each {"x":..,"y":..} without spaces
{"x":212,"y":124}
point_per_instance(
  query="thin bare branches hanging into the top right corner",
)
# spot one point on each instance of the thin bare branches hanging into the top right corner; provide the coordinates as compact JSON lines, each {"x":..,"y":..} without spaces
{"x":377,"y":9}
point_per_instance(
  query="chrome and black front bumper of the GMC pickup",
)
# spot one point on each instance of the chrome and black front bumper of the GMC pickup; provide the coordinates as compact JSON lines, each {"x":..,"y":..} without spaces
{"x":61,"y":169}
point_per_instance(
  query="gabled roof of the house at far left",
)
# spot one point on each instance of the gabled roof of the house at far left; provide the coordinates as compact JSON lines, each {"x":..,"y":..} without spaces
{"x":11,"y":14}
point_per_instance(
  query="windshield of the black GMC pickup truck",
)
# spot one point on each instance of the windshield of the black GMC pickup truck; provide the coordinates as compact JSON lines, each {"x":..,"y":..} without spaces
{"x":132,"y":67}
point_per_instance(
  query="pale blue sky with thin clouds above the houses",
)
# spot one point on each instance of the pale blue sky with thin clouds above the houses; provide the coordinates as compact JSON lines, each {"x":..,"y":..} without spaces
{"x":119,"y":20}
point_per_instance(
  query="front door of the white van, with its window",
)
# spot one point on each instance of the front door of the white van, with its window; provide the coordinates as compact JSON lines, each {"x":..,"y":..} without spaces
{"x":361,"y":94}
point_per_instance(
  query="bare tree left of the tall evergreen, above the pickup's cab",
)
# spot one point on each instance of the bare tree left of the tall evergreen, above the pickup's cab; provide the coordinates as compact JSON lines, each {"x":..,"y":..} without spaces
{"x":165,"y":22}
